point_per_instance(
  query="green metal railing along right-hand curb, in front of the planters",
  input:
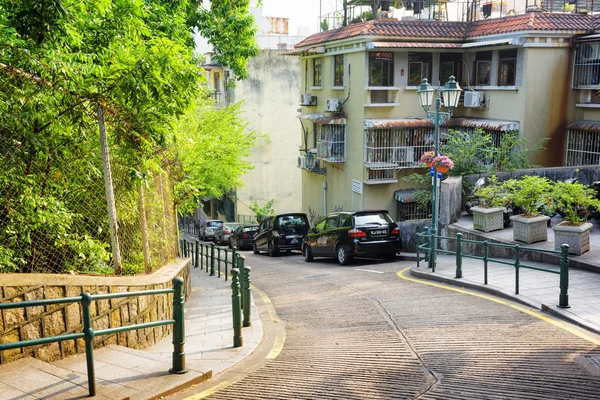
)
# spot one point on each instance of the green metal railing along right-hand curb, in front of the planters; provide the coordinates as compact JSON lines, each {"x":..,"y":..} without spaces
{"x":563,"y":298}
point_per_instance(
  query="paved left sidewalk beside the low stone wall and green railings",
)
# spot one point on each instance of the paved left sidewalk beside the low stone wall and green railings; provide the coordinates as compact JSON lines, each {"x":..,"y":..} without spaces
{"x":123,"y":373}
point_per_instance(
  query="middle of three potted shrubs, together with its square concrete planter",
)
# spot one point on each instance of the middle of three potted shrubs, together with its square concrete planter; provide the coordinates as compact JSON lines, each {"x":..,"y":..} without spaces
{"x":531,"y":194}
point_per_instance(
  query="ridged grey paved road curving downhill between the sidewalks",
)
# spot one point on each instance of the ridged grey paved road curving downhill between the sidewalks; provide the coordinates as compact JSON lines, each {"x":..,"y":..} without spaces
{"x":362,"y":332}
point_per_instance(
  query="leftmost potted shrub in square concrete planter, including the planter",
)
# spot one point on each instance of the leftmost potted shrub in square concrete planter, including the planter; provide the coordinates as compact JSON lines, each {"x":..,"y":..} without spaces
{"x":489,"y":214}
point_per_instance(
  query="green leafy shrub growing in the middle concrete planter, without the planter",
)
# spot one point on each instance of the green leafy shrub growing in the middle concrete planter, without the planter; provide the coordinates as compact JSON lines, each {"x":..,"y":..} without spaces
{"x":531,"y":193}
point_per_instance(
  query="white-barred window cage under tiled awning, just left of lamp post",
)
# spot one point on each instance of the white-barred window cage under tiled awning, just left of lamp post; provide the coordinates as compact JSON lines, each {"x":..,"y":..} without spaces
{"x":395,"y":148}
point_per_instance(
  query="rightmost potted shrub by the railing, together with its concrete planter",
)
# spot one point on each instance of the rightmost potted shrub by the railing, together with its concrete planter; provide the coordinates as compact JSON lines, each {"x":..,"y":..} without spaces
{"x":572,"y":201}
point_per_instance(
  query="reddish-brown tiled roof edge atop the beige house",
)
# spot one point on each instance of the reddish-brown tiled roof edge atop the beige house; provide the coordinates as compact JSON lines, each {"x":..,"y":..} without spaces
{"x":456,"y":31}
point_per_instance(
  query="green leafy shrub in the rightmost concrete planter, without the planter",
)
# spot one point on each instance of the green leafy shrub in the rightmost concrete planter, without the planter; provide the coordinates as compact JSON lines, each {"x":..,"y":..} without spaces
{"x":571,"y":199}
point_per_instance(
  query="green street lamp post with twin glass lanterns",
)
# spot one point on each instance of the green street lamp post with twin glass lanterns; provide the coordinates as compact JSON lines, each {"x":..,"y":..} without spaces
{"x":451,"y":94}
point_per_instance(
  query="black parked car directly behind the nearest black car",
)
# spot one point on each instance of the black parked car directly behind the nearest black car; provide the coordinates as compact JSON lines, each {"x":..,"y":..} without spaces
{"x":281,"y":232}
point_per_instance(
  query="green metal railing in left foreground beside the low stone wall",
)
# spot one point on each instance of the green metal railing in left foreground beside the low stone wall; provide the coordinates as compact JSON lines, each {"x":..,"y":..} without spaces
{"x":88,"y":333}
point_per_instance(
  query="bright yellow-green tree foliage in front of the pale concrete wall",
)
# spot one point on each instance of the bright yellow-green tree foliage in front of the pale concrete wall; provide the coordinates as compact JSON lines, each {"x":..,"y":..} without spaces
{"x":211,"y":146}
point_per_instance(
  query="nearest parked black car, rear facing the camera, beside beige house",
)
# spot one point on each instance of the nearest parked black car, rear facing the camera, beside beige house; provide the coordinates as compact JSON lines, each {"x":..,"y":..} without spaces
{"x":346,"y":235}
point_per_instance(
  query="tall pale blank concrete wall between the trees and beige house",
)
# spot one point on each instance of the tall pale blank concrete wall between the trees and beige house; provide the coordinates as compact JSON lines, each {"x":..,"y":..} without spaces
{"x":271,"y":97}
